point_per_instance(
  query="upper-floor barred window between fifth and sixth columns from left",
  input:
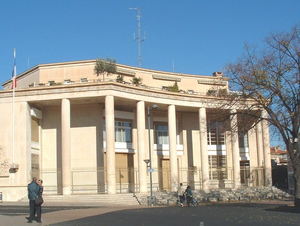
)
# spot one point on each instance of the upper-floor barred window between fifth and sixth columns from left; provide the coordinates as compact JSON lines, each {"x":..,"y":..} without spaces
{"x":215,"y":135}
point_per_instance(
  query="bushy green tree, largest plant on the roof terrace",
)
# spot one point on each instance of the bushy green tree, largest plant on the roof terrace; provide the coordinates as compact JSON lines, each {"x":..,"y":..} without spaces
{"x":105,"y":67}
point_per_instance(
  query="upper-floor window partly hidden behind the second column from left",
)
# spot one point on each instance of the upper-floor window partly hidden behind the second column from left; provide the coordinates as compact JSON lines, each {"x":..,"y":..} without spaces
{"x":122,"y":131}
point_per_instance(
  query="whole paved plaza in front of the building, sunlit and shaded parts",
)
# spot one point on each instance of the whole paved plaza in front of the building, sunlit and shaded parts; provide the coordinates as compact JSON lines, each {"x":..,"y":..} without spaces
{"x":251,"y":213}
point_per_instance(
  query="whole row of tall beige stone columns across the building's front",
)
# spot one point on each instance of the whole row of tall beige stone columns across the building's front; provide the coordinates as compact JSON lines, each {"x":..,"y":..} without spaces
{"x":141,"y":147}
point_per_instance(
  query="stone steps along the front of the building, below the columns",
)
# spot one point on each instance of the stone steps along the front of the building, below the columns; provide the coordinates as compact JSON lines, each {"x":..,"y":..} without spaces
{"x":167,"y":198}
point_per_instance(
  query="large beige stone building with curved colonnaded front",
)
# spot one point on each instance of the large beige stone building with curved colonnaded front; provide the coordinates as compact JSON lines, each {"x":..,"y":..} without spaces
{"x":81,"y":134}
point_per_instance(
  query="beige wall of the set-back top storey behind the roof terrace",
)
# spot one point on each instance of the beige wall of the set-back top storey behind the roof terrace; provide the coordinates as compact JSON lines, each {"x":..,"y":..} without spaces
{"x":74,"y":71}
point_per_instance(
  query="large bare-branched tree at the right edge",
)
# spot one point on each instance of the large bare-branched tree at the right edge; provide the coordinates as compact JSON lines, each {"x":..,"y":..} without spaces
{"x":271,"y":77}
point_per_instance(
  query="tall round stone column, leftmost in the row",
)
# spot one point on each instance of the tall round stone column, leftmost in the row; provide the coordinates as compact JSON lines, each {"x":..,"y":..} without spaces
{"x":66,"y":147}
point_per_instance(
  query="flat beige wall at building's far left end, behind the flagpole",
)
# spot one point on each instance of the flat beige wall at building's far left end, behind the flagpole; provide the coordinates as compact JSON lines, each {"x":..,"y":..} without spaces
{"x":21,"y":152}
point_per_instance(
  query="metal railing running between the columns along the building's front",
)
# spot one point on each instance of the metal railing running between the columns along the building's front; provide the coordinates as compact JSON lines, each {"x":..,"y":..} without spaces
{"x":92,"y":181}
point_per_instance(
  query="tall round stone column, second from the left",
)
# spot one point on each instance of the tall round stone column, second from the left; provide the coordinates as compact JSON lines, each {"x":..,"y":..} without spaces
{"x":110,"y":145}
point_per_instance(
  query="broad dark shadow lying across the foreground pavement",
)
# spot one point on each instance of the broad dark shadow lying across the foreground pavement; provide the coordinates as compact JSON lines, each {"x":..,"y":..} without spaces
{"x":215,"y":214}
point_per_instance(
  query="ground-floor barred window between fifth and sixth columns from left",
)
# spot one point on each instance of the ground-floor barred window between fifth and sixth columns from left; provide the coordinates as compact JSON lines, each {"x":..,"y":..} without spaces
{"x":217,"y":167}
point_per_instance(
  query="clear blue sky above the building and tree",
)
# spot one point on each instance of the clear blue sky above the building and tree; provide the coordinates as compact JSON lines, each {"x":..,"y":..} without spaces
{"x":186,"y":36}
